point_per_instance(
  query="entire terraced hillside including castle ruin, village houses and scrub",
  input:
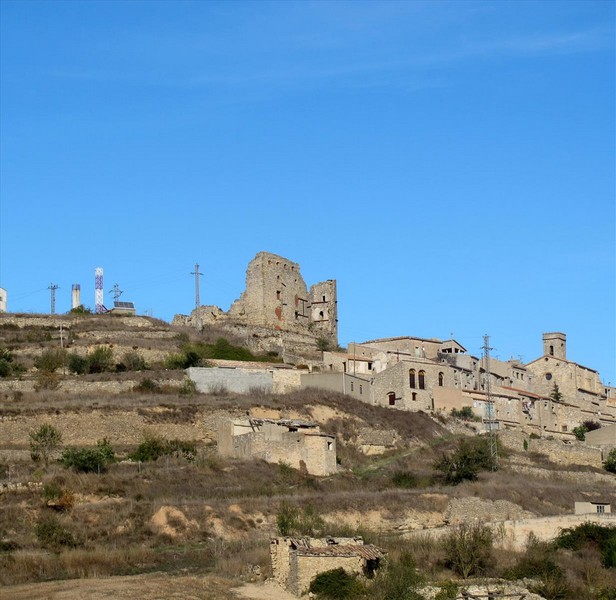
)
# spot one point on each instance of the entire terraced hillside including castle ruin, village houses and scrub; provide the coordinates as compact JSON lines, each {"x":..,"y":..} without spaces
{"x":247,"y":454}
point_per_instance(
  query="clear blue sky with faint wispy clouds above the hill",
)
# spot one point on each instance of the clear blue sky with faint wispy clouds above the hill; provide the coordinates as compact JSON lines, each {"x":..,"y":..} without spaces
{"x":451,"y":164}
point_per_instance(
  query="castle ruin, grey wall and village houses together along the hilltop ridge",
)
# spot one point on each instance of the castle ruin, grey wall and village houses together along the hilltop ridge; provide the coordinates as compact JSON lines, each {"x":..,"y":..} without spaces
{"x":548,"y":396}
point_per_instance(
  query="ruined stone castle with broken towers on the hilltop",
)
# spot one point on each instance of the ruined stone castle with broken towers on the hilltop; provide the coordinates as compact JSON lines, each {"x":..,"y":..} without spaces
{"x":277,"y":311}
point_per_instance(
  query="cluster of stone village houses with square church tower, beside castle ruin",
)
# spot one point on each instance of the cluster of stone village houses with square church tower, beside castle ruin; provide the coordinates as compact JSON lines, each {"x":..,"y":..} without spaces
{"x":410,"y":373}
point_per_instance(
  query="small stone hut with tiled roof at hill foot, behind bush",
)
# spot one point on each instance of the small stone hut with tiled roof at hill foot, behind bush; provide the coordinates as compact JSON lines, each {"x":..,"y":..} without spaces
{"x":297,"y":561}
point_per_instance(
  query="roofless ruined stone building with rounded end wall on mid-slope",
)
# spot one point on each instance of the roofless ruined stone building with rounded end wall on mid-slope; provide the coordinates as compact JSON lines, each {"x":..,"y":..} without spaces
{"x":299,"y":444}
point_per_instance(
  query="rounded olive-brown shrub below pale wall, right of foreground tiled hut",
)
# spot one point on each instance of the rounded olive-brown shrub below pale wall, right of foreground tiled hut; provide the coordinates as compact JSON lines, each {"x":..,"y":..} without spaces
{"x":469,"y":549}
